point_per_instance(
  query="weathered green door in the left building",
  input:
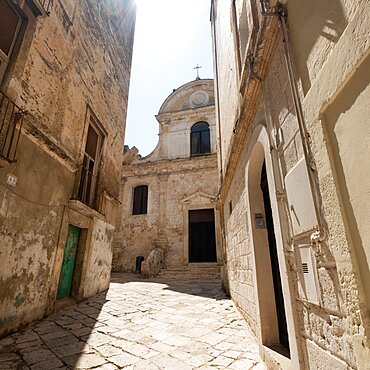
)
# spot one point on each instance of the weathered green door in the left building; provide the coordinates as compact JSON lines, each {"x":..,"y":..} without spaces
{"x":69,"y":260}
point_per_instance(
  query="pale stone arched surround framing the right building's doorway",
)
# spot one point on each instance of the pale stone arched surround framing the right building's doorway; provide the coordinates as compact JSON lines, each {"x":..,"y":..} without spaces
{"x":268,"y":329}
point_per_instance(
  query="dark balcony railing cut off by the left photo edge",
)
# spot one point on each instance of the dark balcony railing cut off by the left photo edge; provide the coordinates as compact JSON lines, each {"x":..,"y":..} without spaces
{"x":11,"y":121}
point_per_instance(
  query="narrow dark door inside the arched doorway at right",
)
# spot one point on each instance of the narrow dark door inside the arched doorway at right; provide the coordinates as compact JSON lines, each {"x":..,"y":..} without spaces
{"x":279,"y":298}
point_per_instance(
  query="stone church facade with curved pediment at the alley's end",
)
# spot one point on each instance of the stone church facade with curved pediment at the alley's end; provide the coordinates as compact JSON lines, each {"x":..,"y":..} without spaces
{"x":168,"y":197}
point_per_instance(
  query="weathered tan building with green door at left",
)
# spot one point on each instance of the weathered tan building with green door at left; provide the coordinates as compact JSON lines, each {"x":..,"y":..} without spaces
{"x":64,"y":76}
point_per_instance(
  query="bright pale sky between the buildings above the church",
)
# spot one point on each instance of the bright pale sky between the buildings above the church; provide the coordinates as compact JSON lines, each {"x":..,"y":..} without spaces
{"x":171,"y":37}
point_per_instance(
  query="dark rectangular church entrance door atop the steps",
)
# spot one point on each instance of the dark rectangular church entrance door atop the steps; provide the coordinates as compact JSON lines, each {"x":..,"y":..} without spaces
{"x":202,"y":241}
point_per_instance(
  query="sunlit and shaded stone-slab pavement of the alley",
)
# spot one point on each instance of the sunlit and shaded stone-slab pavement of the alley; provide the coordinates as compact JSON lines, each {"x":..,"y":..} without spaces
{"x":139,"y":324}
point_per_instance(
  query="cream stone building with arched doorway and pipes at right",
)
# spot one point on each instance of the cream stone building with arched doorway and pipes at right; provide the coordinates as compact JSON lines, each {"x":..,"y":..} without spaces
{"x":292,"y":103}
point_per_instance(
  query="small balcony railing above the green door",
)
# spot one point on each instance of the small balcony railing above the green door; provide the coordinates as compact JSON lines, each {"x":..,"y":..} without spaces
{"x":87,"y":187}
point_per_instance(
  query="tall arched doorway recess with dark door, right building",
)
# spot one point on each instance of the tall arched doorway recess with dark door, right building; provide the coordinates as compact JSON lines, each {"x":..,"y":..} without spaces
{"x":273,"y":322}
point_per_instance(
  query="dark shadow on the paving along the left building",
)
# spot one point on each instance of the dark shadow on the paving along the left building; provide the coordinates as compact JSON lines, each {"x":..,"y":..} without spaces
{"x":57,"y":341}
